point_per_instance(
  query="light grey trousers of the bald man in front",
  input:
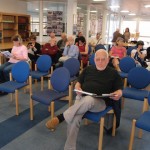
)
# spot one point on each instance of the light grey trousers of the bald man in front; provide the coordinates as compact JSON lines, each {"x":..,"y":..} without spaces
{"x":74,"y":114}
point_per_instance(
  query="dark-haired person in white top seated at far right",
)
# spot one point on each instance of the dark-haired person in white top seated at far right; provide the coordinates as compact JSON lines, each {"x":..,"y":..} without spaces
{"x":139,"y":54}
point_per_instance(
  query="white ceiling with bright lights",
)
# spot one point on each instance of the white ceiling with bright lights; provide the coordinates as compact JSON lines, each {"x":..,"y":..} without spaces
{"x":133,"y":6}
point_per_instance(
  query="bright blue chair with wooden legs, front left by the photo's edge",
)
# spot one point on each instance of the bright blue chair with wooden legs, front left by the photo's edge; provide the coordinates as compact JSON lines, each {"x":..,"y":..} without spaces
{"x":18,"y":79}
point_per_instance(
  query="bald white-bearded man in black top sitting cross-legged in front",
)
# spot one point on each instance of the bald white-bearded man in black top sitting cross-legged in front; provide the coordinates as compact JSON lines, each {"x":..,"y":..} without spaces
{"x":97,"y":79}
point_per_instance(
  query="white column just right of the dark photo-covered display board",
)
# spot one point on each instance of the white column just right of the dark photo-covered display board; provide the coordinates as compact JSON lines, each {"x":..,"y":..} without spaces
{"x":71,"y":12}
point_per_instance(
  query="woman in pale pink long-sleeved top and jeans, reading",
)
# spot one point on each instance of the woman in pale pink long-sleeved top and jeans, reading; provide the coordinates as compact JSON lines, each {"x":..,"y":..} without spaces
{"x":19,"y":52}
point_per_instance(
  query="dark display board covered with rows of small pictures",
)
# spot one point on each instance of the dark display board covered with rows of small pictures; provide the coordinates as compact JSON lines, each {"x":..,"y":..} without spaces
{"x":55,"y":22}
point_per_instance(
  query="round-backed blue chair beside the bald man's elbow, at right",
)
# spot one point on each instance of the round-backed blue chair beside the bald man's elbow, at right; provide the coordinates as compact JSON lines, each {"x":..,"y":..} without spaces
{"x":138,"y":79}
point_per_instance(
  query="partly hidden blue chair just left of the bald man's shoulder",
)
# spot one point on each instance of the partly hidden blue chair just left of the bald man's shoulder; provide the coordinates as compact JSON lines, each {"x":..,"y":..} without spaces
{"x":73,"y":67}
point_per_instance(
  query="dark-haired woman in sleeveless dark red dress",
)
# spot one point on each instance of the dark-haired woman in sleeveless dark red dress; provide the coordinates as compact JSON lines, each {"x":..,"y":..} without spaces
{"x":83,"y":49}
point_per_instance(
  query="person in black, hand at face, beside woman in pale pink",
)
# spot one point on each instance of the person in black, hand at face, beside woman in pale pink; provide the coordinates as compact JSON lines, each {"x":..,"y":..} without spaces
{"x":34,"y":49}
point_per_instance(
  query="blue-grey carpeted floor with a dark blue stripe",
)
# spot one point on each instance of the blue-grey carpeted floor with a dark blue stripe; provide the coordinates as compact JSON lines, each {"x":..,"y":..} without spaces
{"x":19,"y":133}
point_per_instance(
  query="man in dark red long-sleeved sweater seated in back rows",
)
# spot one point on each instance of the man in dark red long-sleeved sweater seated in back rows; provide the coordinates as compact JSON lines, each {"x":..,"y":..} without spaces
{"x":51,"y":49}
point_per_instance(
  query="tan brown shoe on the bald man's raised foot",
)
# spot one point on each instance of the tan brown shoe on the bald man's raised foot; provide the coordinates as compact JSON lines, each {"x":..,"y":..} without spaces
{"x":52,"y":124}
